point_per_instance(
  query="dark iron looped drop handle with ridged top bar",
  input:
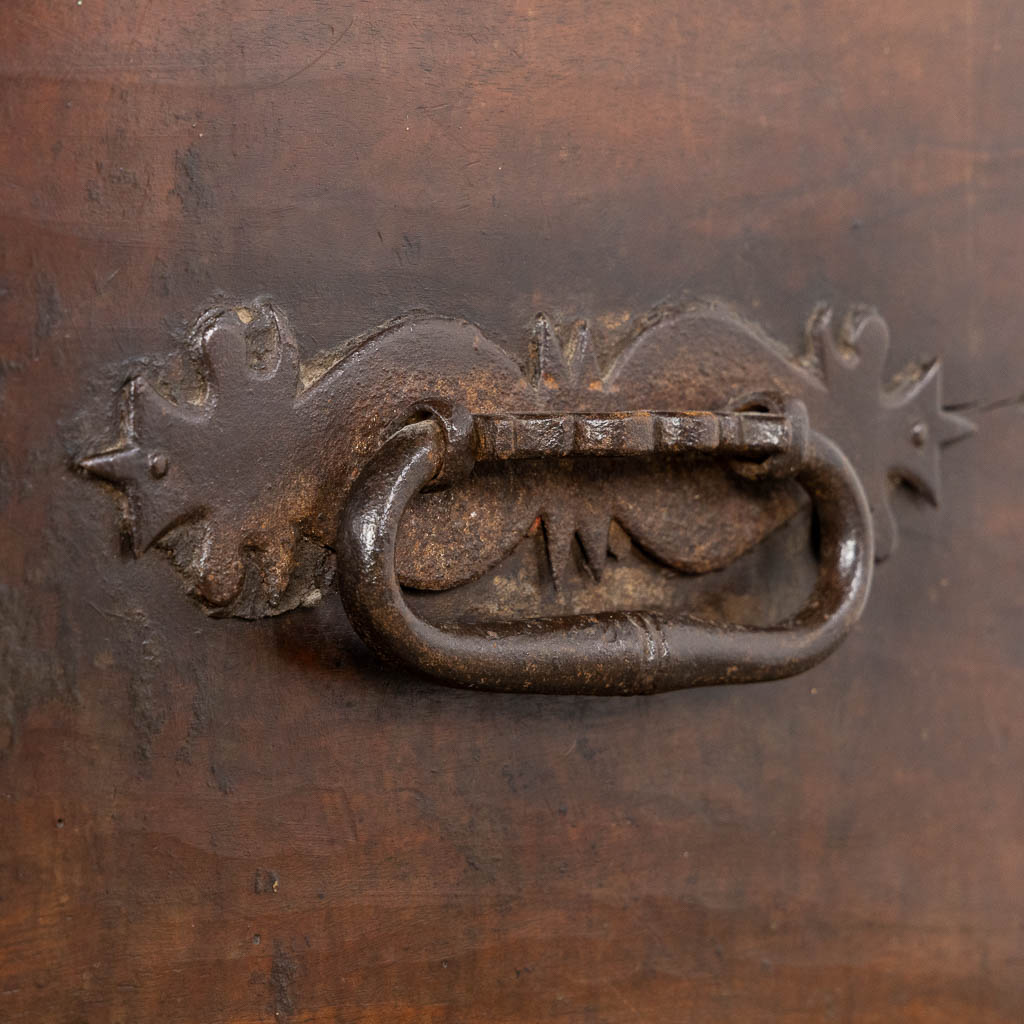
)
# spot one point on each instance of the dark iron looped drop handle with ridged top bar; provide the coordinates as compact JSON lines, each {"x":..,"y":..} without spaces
{"x":613,"y":653}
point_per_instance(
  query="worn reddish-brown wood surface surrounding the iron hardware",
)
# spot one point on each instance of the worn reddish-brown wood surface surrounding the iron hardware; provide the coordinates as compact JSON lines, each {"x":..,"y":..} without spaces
{"x":226,"y":822}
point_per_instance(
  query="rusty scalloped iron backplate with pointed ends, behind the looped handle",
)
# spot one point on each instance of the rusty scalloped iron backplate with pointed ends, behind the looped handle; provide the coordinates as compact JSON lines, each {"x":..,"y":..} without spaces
{"x":238,"y":465}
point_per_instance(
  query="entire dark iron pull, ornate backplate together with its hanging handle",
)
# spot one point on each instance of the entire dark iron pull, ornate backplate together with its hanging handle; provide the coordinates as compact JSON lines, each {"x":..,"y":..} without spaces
{"x":418,"y":457}
